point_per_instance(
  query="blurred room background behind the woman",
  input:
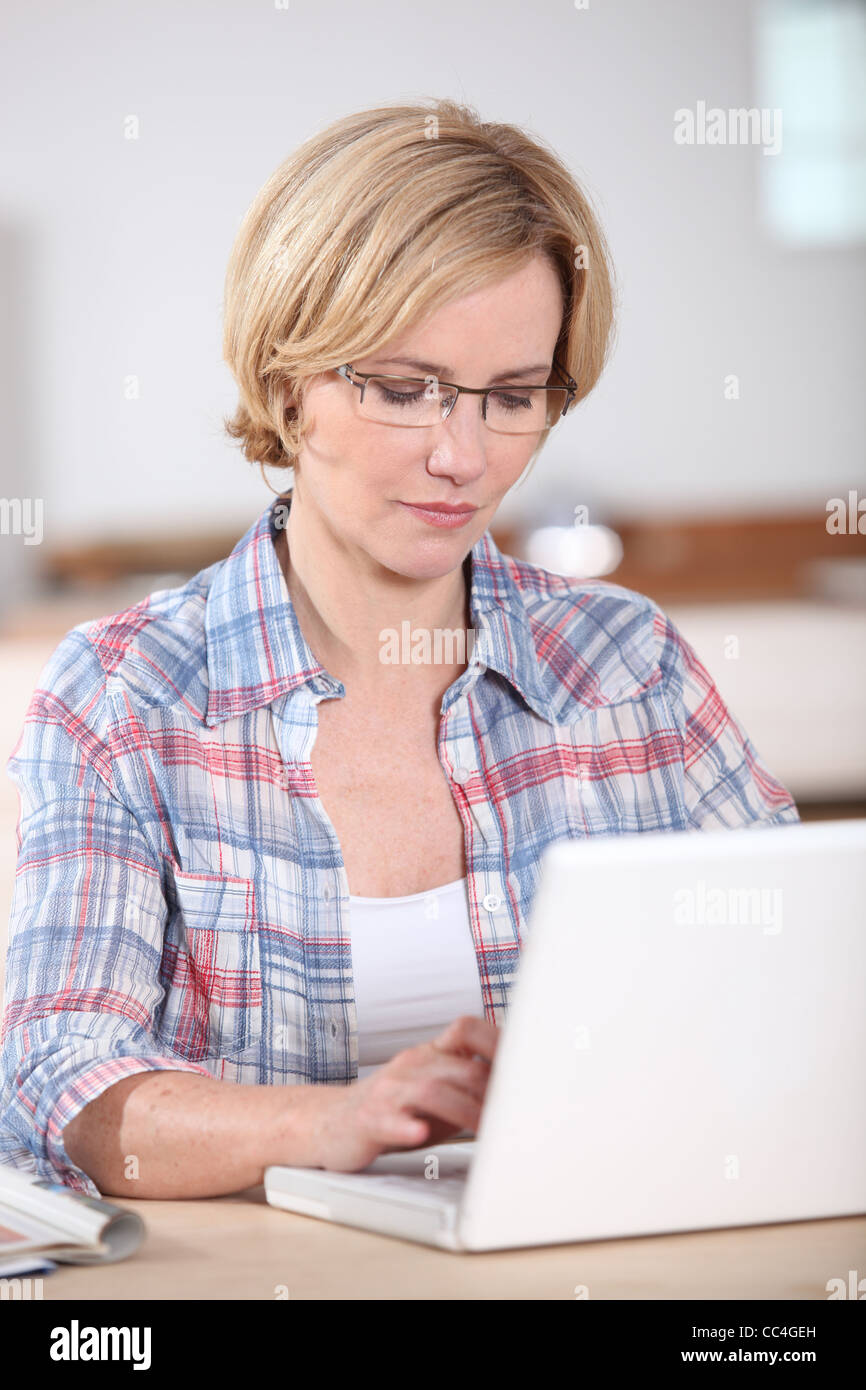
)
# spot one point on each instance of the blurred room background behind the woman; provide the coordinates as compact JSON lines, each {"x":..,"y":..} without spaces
{"x":718,"y":466}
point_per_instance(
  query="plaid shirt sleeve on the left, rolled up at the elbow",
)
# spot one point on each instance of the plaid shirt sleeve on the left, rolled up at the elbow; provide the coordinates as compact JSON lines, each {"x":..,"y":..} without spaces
{"x":83,"y":974}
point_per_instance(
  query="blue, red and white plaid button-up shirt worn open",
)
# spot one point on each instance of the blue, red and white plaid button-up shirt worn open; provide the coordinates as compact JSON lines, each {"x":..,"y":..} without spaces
{"x":181,"y":900}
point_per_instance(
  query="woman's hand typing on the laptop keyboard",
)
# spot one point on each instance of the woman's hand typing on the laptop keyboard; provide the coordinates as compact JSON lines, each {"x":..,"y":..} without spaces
{"x":422,"y":1096}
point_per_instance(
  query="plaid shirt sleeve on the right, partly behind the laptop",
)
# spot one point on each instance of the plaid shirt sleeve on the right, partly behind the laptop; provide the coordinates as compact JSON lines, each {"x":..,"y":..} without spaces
{"x":728,"y":785}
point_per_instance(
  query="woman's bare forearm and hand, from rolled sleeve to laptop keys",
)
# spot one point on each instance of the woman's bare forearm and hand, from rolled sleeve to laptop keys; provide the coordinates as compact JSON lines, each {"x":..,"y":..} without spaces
{"x":199,"y":1138}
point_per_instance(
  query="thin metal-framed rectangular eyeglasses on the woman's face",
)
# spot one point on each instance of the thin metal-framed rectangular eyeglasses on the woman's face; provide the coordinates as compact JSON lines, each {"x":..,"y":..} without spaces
{"x":419,"y":402}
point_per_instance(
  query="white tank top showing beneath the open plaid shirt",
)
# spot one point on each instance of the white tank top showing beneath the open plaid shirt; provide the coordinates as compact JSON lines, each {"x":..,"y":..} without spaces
{"x":415,"y":970}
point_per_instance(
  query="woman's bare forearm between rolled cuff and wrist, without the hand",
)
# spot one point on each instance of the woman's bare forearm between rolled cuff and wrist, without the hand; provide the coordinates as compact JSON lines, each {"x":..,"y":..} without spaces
{"x":176,"y":1135}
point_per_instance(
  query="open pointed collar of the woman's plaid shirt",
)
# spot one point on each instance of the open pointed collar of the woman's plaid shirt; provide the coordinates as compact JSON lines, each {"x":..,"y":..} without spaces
{"x":258,"y":653}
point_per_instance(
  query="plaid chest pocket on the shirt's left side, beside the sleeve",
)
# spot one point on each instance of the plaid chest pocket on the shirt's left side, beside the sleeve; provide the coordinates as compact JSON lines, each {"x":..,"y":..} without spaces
{"x":215,"y":997}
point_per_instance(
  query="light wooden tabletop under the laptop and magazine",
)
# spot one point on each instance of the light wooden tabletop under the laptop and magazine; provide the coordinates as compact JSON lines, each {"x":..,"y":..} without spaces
{"x":240,"y":1248}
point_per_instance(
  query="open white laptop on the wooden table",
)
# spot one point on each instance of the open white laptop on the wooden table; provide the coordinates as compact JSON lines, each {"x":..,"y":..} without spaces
{"x":686,"y":1049}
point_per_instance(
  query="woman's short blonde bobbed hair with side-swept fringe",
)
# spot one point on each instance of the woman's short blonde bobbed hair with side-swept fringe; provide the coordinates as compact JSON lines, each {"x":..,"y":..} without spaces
{"x":375,"y":223}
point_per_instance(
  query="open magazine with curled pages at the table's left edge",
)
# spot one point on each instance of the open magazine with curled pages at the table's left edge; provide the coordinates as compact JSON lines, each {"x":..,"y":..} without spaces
{"x":44,"y":1223}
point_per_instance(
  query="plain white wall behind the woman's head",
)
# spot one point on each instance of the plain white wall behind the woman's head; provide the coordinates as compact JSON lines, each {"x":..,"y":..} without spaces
{"x":115,"y":251}
